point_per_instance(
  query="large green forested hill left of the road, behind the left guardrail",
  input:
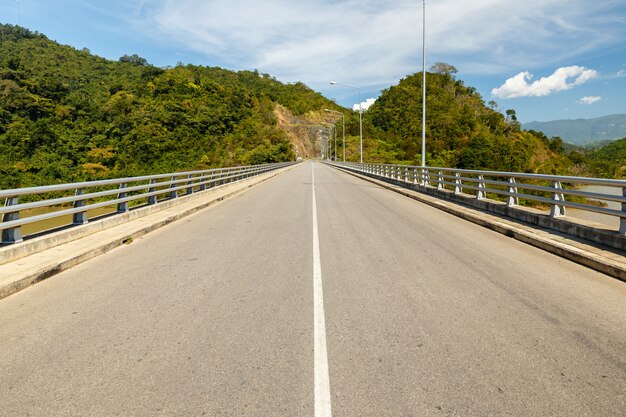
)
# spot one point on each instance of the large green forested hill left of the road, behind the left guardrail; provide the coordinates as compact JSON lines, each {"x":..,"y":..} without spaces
{"x":67,"y":115}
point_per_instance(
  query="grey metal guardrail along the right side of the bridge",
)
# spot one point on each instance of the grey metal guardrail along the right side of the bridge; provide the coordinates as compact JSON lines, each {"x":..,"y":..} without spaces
{"x":551,"y":190}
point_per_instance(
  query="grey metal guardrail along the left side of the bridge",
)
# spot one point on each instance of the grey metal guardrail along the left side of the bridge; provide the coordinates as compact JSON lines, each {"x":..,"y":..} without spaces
{"x":119,"y":192}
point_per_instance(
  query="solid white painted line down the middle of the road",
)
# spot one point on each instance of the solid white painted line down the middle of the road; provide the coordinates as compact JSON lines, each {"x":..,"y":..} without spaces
{"x":322,"y":379}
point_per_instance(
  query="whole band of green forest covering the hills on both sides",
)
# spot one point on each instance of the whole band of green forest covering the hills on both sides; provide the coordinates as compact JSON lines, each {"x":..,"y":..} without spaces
{"x":67,"y":115}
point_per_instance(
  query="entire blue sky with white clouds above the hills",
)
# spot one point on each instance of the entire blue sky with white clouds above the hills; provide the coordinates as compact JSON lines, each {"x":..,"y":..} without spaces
{"x":547,"y":59}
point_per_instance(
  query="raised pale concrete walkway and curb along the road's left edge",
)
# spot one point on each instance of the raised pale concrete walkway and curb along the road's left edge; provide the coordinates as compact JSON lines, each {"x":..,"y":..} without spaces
{"x":26,"y":271}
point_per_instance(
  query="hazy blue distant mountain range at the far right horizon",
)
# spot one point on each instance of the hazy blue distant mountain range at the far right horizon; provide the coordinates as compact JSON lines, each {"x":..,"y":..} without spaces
{"x":583,"y":131}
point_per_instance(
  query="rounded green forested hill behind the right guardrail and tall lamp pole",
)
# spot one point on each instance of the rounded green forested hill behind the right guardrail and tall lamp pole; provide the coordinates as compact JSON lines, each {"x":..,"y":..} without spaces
{"x":461,"y":130}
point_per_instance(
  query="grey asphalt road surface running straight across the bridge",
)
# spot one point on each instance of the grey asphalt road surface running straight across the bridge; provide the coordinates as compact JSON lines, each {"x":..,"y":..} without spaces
{"x":425,"y":315}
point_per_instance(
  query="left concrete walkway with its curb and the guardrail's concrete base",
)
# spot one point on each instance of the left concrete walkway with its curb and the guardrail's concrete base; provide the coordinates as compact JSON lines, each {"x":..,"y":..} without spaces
{"x":26,"y":263}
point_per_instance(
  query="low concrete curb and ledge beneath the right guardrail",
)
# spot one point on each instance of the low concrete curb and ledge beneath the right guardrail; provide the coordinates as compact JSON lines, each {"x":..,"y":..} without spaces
{"x":549,"y":240}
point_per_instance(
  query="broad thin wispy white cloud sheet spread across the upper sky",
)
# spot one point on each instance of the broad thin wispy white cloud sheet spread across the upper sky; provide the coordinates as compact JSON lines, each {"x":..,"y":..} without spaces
{"x":373,"y":43}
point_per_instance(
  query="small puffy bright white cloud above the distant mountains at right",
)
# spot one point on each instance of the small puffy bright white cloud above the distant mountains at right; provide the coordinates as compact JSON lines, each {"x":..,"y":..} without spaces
{"x":563,"y":79}
